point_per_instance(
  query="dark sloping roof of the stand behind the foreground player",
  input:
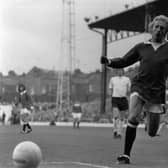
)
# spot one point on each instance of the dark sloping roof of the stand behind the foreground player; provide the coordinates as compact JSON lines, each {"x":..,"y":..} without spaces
{"x":131,"y":19}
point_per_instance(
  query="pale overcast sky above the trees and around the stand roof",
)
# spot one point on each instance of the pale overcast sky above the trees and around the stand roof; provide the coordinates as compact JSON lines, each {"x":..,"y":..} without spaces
{"x":31,"y":31}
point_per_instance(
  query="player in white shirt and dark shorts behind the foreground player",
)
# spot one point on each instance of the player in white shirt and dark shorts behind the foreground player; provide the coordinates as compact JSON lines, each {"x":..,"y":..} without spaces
{"x":119,"y":86}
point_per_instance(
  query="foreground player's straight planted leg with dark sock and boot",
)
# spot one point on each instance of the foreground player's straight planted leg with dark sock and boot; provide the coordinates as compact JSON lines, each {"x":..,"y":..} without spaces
{"x":135,"y":108}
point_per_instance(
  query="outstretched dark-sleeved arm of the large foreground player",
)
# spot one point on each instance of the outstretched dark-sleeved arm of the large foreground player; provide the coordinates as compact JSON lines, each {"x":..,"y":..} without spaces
{"x":128,"y":59}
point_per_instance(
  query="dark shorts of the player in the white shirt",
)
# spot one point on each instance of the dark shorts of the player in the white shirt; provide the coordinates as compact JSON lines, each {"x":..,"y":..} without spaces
{"x":120,"y":102}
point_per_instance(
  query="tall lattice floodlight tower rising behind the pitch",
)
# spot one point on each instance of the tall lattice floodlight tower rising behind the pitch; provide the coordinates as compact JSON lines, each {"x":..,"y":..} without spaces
{"x":68,"y":51}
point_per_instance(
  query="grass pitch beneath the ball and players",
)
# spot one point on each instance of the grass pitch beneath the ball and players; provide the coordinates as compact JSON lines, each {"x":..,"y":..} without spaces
{"x":85,"y":145}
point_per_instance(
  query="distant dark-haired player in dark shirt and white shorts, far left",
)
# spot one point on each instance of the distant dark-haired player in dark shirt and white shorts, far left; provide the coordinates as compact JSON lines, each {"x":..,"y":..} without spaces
{"x":24,"y":103}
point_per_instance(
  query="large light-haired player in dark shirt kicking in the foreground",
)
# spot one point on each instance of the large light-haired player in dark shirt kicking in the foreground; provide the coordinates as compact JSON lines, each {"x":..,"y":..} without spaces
{"x":149,"y":85}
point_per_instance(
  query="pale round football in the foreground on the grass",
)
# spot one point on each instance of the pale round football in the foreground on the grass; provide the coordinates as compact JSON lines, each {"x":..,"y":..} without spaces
{"x":26,"y":154}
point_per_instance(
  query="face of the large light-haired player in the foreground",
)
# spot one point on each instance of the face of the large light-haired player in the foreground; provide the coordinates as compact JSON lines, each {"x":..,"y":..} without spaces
{"x":159,"y":31}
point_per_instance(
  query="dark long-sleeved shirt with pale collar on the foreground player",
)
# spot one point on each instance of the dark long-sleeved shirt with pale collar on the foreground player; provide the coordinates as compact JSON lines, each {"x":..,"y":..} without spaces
{"x":150,"y":81}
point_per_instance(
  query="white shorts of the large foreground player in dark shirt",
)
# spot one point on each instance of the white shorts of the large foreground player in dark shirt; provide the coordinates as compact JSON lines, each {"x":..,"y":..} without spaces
{"x":149,"y":107}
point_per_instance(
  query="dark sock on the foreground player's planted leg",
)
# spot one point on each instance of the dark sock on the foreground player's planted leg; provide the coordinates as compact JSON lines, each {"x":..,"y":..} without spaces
{"x":129,"y":139}
